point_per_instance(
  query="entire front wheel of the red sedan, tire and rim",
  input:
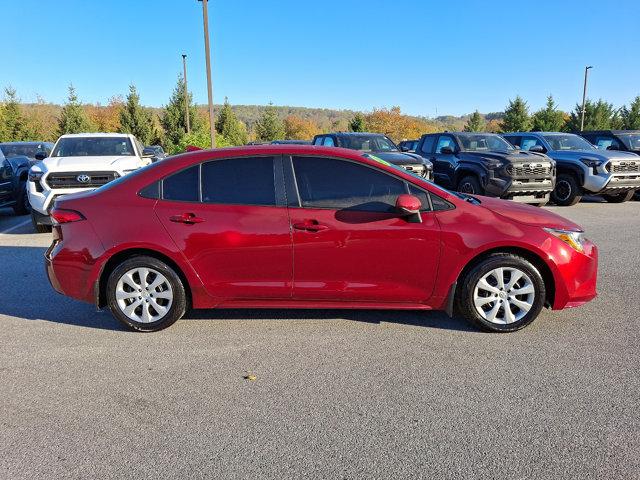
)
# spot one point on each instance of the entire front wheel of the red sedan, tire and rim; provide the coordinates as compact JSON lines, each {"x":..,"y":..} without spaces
{"x":503,"y":293}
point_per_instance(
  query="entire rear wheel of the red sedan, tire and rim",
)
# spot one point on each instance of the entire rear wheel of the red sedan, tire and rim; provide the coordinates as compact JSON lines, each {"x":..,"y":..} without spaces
{"x":146,"y":294}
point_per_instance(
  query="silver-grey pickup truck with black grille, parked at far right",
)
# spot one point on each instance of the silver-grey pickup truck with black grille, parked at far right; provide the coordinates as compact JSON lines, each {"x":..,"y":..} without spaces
{"x":582,"y":168}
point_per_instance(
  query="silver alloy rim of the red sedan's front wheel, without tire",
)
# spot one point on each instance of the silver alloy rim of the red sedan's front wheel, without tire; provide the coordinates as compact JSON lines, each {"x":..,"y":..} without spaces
{"x":504,"y":295}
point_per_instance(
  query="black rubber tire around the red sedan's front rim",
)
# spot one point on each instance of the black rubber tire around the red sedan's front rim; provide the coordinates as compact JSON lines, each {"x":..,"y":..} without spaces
{"x":465,"y":293}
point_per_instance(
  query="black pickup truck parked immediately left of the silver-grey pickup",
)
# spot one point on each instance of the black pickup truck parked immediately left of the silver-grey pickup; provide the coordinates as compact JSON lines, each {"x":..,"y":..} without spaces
{"x":486,"y":164}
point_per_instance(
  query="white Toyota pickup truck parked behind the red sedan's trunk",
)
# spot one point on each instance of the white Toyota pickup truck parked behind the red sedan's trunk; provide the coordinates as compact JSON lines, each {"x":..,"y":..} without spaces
{"x":80,"y":162}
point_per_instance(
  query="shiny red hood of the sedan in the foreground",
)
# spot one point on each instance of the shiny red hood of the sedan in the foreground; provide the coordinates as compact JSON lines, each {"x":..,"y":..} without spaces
{"x":527,"y":214}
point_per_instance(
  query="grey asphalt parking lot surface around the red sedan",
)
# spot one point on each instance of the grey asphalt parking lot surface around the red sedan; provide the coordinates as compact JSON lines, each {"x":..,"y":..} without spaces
{"x":336,"y":394}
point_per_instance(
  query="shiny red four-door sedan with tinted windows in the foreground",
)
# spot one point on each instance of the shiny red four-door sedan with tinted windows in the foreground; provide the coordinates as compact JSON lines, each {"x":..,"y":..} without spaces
{"x":310,"y":227}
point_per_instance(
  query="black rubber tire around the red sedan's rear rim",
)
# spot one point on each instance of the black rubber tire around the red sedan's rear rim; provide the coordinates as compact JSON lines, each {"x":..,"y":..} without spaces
{"x":179,"y":301}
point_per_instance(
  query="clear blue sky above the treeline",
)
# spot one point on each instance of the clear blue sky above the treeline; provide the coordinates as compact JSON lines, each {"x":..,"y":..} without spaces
{"x":447,"y":57}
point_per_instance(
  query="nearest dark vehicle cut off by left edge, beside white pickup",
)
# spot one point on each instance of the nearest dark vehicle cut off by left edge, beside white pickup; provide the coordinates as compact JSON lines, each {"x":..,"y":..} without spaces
{"x":13,"y":179}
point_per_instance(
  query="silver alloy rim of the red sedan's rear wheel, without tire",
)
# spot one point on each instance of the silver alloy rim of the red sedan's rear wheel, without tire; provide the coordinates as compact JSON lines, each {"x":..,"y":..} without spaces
{"x":144,"y":295}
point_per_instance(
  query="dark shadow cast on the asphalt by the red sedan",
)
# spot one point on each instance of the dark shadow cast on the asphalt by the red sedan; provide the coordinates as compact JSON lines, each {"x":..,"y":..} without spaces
{"x":25,"y":293}
